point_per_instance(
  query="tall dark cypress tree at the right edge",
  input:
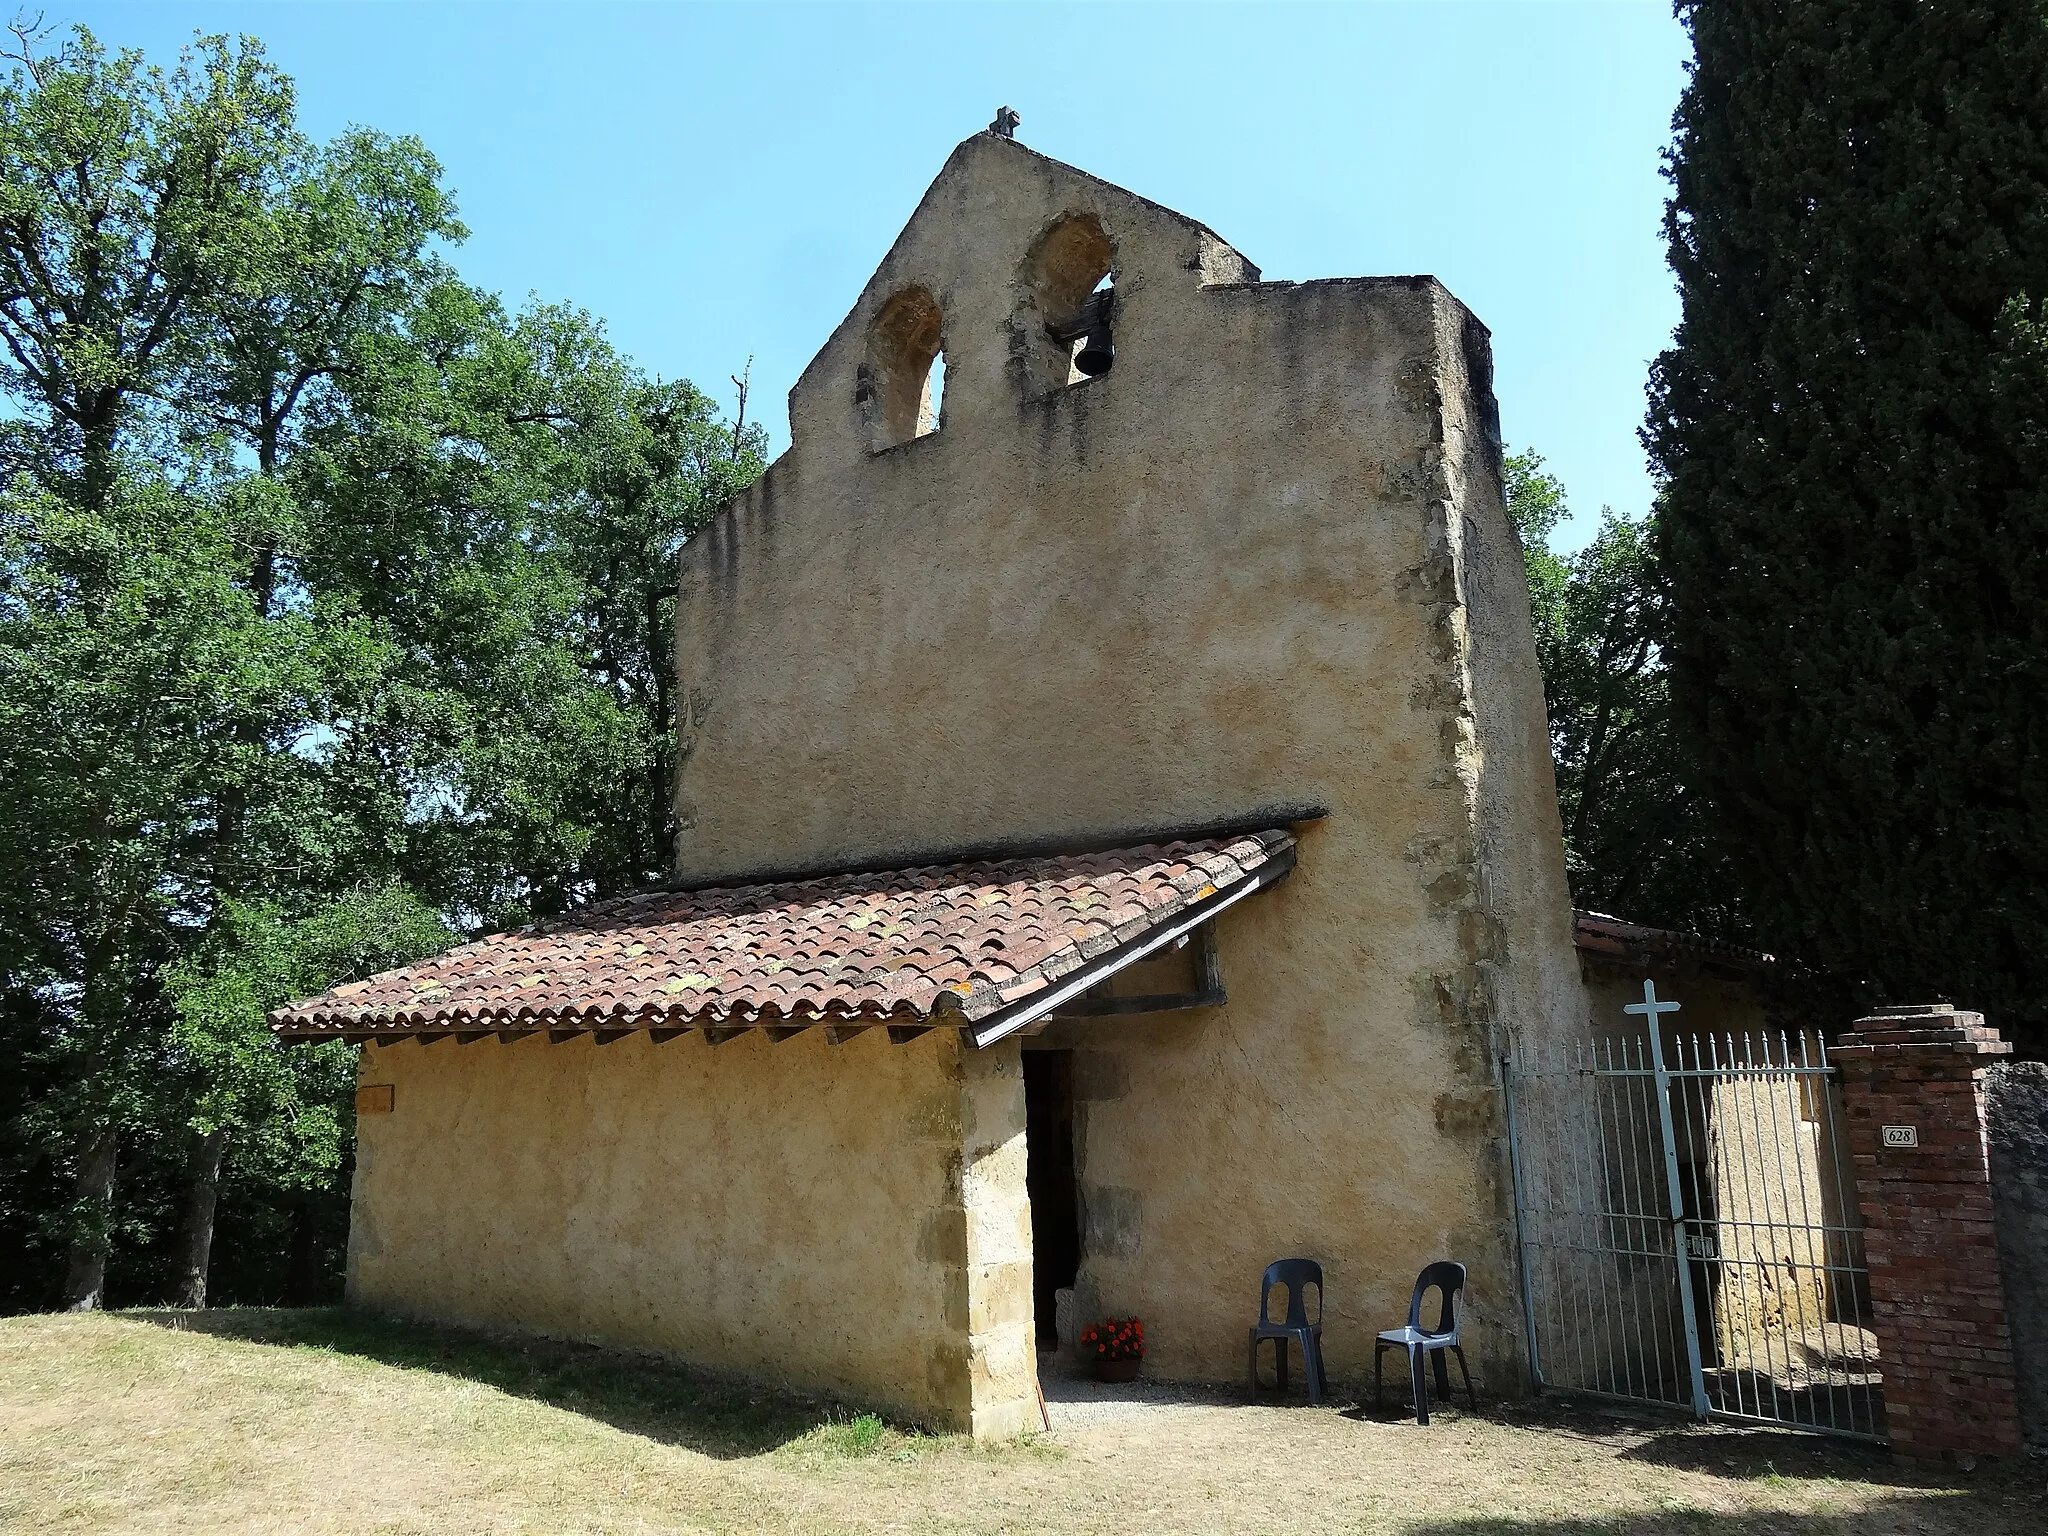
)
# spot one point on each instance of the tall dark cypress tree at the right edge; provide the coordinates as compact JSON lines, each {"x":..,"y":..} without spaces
{"x":1852,"y":433}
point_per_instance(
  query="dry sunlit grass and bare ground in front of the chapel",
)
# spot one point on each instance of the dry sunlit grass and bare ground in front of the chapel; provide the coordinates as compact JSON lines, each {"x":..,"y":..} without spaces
{"x":335,"y":1422}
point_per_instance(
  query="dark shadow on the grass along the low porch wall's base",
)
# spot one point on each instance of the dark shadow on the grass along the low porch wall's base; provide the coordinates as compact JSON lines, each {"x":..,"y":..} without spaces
{"x":638,"y":1394}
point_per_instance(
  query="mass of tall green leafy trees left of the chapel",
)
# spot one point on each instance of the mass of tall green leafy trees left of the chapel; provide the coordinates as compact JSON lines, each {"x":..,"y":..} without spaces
{"x":335,"y":611}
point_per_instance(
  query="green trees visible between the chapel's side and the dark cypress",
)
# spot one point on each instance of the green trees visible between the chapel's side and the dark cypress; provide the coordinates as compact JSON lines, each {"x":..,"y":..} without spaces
{"x":1637,"y":841}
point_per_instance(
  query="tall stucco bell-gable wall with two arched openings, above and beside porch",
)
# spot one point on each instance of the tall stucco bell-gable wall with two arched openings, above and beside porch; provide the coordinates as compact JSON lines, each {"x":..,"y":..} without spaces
{"x":1261,"y":564}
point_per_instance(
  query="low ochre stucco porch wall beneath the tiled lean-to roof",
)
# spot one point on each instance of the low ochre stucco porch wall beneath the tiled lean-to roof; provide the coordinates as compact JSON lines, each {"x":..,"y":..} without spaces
{"x":835,"y":1218}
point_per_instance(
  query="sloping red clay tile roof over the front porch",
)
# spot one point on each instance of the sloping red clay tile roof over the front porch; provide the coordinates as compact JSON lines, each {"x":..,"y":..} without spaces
{"x":904,"y":947}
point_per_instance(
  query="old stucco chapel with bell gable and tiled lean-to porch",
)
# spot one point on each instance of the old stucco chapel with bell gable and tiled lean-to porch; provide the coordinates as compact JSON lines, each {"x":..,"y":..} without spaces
{"x":1117,"y":830}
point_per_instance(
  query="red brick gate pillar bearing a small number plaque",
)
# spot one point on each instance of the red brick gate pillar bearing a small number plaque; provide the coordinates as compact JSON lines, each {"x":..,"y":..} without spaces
{"x":1914,"y":1086}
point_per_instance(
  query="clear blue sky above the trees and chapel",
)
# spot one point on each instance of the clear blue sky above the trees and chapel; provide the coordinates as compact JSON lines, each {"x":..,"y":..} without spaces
{"x":718,"y":181}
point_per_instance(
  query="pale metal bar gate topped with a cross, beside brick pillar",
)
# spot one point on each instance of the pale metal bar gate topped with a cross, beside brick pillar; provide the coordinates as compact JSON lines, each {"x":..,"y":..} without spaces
{"x":1689,"y":1226}
